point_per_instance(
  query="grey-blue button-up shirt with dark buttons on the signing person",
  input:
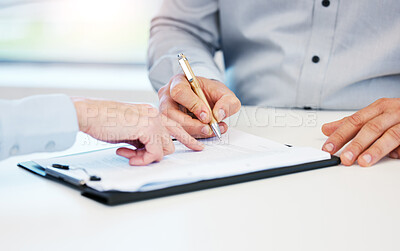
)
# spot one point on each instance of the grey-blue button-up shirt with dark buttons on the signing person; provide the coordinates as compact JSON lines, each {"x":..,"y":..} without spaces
{"x":308,"y":53}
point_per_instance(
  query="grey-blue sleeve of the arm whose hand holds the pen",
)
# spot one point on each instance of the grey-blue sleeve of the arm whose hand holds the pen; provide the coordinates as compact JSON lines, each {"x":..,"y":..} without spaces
{"x":184,"y":26}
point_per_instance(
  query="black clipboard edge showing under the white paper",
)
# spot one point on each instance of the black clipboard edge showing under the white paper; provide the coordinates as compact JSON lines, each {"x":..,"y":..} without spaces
{"x":112,"y":198}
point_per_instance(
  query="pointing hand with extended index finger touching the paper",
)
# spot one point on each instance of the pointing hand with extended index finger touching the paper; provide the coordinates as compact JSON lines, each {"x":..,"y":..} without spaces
{"x":137,"y":124}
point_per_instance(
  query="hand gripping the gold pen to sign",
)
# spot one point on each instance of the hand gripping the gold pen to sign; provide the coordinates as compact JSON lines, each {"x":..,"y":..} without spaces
{"x":178,"y":92}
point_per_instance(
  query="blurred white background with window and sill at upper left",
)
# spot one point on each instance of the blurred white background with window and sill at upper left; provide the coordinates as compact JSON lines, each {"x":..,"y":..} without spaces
{"x":80,"y":47}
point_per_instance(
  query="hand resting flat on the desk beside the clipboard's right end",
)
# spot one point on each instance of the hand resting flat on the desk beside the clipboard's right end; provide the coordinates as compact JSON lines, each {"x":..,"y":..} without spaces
{"x":374,"y":131}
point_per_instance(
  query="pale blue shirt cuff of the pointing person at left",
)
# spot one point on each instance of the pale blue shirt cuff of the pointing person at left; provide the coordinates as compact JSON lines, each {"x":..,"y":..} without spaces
{"x":43,"y":123}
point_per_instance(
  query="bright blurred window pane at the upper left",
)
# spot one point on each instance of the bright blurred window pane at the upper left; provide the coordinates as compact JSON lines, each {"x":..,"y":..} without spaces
{"x":94,"y":31}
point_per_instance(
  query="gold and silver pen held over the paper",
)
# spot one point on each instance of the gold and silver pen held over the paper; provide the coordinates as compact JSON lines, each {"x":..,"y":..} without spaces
{"x":187,"y":70}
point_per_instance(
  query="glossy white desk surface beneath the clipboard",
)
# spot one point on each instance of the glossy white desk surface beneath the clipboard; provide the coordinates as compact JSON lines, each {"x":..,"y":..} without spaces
{"x":337,"y":208}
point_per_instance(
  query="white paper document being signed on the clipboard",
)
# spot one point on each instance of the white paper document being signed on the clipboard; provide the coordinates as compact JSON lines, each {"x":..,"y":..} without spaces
{"x":237,"y":153}
